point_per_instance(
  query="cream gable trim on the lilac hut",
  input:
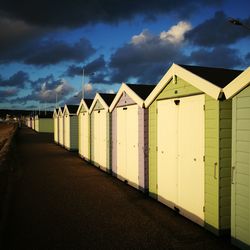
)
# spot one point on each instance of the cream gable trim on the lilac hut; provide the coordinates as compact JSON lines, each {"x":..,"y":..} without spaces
{"x":125,"y":88}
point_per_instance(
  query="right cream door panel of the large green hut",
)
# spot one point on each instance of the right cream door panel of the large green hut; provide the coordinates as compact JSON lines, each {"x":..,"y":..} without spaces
{"x":191,"y":152}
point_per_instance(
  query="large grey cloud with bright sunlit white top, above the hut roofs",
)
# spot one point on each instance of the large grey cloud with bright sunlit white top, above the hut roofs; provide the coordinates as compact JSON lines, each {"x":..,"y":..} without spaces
{"x":147,"y":57}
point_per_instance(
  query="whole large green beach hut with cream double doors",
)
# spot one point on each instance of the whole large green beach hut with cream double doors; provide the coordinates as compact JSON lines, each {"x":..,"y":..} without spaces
{"x":190,"y":144}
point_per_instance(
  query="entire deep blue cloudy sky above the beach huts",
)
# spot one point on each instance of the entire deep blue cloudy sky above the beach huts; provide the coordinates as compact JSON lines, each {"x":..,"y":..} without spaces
{"x":46,"y":45}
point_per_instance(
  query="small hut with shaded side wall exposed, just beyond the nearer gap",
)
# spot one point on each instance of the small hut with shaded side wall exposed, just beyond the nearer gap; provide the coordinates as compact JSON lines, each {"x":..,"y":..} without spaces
{"x":70,"y":127}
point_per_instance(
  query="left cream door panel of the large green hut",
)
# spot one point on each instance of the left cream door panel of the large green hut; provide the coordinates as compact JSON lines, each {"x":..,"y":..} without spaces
{"x":167,"y":151}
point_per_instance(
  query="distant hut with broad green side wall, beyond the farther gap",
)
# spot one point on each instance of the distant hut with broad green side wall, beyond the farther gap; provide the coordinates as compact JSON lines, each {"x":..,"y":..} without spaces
{"x":44,"y":122}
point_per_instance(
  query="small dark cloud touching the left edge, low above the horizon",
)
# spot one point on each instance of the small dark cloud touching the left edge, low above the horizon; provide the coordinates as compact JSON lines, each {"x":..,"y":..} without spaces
{"x":18,"y":80}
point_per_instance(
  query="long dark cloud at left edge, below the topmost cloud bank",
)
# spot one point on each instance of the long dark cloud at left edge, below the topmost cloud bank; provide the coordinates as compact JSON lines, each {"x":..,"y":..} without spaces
{"x":43,"y":53}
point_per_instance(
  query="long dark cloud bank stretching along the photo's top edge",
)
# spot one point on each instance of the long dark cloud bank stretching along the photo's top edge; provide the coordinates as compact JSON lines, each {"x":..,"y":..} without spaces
{"x":75,"y":13}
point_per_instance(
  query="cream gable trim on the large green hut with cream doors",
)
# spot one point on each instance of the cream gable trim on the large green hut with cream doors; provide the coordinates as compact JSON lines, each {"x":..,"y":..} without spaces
{"x":195,"y":80}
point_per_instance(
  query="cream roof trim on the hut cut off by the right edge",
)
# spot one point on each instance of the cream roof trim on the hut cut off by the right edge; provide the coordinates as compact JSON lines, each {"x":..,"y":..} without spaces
{"x":238,"y":84}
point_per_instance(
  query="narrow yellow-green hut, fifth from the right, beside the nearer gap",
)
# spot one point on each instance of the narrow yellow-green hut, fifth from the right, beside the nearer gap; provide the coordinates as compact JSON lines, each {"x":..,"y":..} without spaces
{"x":84,"y":128}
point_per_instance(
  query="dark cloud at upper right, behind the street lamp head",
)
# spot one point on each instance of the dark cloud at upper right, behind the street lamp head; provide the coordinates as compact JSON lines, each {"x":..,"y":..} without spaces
{"x":217,"y":31}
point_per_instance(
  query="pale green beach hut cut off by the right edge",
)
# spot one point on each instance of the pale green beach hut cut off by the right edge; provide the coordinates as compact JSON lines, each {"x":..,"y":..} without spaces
{"x":239,"y":91}
